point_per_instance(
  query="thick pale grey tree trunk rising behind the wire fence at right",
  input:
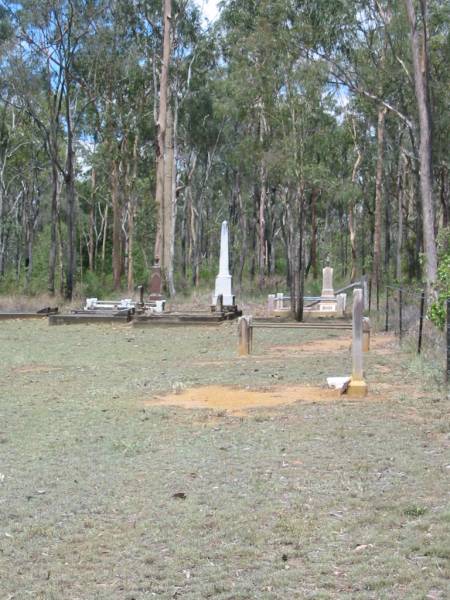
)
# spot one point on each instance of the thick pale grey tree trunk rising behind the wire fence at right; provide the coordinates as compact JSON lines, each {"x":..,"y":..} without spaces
{"x":419,"y":50}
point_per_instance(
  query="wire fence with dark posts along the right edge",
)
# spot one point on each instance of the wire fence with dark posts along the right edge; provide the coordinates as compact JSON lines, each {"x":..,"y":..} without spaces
{"x":403,"y":311}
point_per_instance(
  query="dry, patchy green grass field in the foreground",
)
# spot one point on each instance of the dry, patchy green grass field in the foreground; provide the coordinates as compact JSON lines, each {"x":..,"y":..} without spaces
{"x":106,"y":495}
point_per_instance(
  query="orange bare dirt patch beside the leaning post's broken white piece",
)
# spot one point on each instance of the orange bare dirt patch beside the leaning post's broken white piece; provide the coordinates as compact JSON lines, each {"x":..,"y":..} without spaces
{"x":239,"y":401}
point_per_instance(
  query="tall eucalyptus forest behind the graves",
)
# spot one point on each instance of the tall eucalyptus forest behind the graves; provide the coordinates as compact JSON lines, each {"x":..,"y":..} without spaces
{"x":130,"y":130}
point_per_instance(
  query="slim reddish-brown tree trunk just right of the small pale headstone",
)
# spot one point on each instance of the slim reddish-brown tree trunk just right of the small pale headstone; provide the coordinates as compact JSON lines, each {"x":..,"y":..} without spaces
{"x":376,"y":268}
